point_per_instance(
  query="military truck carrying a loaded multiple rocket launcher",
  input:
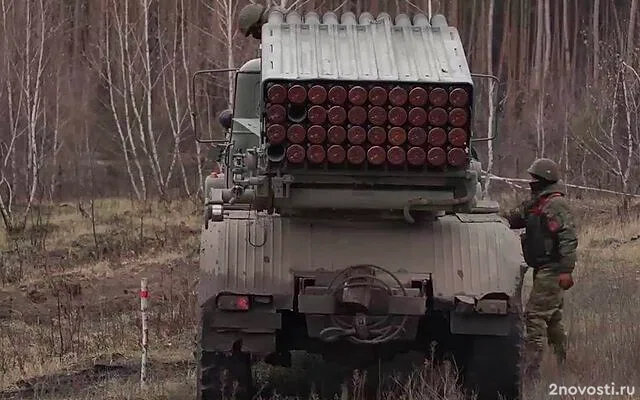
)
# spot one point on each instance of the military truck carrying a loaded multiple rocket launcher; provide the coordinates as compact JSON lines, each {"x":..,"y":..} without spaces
{"x":350,"y":221}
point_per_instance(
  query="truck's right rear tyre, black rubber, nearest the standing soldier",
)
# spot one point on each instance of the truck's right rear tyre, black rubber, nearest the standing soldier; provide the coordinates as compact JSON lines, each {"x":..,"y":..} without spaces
{"x":491,"y":365}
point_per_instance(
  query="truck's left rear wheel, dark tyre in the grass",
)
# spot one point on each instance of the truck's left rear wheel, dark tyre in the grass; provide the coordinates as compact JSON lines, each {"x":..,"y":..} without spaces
{"x":223,"y":376}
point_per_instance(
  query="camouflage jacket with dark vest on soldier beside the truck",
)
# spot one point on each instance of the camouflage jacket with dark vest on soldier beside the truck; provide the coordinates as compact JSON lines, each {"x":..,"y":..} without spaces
{"x":550,"y":237}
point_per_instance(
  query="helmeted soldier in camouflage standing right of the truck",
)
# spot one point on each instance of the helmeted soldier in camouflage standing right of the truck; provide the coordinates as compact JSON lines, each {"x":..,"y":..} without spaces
{"x":549,"y":246}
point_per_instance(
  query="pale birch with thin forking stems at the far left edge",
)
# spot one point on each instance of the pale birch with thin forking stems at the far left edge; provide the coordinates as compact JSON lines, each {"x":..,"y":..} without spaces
{"x":27,"y":31}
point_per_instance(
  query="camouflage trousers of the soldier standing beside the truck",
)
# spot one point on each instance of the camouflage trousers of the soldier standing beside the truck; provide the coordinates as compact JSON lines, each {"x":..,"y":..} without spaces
{"x":543,"y":316}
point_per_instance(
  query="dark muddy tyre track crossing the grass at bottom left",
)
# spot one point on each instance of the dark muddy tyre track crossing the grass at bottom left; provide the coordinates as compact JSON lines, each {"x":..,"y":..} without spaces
{"x":79,"y":380}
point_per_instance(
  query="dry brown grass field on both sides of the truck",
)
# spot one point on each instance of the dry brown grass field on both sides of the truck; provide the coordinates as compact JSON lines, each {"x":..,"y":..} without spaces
{"x":70,"y":324}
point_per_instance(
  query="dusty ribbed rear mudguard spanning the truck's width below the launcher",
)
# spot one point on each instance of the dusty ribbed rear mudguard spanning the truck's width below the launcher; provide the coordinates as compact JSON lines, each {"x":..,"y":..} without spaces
{"x":473,"y":261}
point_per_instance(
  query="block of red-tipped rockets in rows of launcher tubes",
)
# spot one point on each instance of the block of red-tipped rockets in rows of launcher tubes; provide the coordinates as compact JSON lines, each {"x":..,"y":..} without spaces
{"x":401,"y":126}
